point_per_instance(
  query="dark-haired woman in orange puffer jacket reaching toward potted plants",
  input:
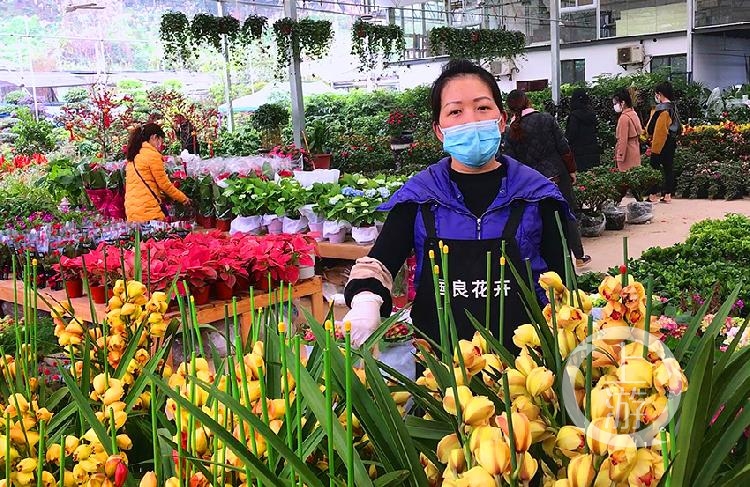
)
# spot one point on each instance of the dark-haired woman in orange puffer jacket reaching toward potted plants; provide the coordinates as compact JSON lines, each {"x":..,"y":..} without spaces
{"x":146,"y":181}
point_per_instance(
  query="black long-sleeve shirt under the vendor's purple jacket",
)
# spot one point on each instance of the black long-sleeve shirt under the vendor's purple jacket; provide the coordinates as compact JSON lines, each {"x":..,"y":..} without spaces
{"x":396,"y":240}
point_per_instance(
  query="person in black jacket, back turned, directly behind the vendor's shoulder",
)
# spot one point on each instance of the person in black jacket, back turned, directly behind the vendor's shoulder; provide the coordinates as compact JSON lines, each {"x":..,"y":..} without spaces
{"x":535,"y":139}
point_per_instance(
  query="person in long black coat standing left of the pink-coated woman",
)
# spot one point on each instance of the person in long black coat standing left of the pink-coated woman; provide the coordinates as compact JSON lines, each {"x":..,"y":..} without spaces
{"x":581,"y":131}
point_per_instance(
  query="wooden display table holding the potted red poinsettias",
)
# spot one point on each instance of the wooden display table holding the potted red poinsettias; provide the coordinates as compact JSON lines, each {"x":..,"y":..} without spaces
{"x":207,"y":313}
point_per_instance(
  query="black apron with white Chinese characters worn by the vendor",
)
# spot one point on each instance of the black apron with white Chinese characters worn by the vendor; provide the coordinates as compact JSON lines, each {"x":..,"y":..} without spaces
{"x":467,"y":273}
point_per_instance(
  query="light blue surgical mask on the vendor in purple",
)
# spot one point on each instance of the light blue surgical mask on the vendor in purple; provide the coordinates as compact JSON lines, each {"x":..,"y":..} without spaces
{"x":473,"y":144}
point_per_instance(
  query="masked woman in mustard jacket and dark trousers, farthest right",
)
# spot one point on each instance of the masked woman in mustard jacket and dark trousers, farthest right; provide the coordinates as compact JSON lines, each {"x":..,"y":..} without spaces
{"x":663,"y":127}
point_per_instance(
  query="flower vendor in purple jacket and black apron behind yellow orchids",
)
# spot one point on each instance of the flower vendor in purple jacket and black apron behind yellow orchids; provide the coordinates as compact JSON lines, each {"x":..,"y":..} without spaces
{"x":470,"y":201}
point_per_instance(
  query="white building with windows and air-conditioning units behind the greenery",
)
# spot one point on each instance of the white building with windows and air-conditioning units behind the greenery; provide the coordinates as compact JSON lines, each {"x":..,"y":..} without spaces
{"x":704,"y":40}
